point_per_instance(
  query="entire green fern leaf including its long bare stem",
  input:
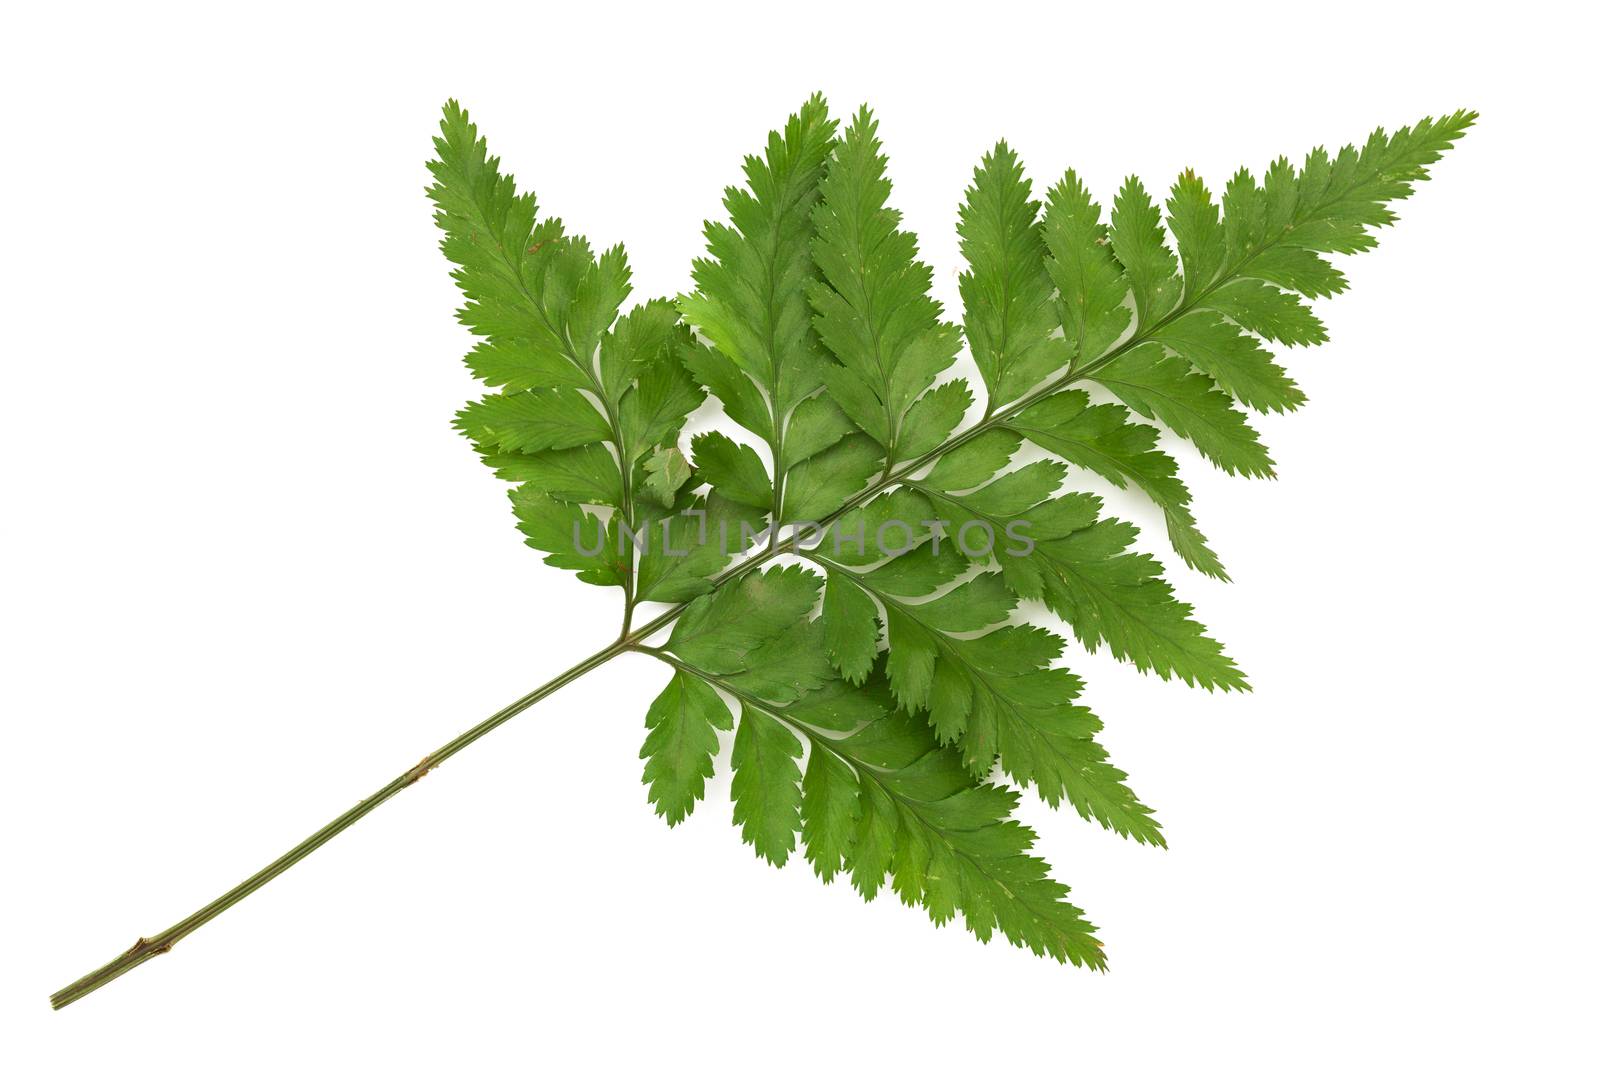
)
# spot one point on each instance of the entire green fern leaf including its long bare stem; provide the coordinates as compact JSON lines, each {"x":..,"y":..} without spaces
{"x":876,"y":682}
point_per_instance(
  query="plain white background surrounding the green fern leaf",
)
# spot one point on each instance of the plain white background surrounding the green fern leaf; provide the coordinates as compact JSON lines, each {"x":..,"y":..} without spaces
{"x":252,"y":573}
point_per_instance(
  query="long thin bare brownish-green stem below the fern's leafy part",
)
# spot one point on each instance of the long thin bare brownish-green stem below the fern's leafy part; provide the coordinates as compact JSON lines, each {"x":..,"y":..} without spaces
{"x":146,"y":949}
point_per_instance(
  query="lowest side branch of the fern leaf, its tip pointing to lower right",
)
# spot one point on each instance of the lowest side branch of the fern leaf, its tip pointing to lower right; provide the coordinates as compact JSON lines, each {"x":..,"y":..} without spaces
{"x":881,"y":797}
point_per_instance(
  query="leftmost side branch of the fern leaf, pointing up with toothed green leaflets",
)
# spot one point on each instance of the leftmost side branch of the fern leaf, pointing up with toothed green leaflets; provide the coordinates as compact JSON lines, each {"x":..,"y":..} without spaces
{"x":586,"y":398}
